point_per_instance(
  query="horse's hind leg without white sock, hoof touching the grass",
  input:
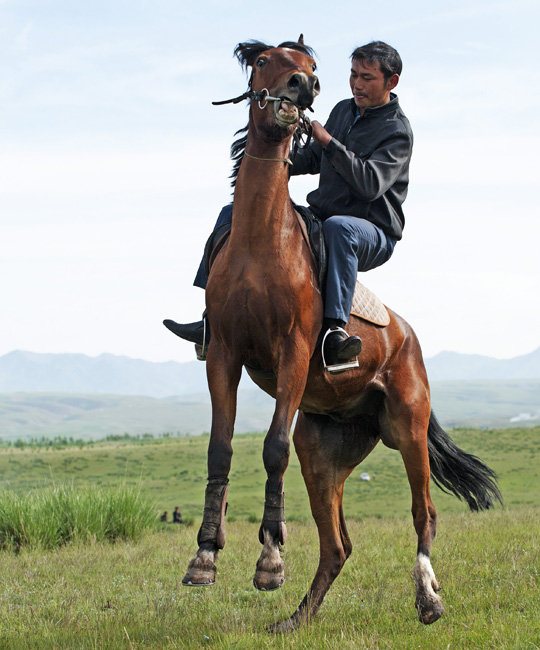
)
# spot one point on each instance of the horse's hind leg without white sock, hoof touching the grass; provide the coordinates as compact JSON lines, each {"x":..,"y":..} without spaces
{"x":328,"y":452}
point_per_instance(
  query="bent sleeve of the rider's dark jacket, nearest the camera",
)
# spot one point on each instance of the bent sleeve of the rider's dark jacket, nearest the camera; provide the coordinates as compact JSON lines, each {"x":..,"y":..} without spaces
{"x":372,"y":175}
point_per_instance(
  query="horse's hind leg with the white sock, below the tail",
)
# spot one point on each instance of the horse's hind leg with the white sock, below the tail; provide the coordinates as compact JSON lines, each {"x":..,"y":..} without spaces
{"x":408,"y":419}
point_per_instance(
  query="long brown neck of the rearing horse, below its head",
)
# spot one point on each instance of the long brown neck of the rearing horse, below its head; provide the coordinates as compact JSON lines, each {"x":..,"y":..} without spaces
{"x":262,"y":205}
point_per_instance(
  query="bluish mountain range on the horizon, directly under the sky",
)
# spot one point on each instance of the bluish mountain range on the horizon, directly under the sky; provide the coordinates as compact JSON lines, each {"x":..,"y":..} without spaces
{"x":109,"y":374}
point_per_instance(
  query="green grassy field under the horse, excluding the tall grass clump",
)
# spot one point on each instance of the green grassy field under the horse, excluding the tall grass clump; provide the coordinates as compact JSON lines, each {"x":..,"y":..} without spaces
{"x":128,"y":594}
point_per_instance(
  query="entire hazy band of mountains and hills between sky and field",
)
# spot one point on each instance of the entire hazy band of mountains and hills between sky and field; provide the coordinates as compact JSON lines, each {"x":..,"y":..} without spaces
{"x":83,"y":397}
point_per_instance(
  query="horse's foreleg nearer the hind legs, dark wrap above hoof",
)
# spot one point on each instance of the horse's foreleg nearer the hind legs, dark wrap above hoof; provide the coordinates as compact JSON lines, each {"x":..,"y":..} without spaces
{"x":291,"y":381}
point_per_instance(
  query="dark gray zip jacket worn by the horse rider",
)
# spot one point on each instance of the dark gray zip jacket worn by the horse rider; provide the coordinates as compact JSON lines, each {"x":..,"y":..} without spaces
{"x":364,"y":170}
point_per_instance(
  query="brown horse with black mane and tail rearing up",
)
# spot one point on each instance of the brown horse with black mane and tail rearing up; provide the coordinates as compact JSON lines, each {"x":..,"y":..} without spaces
{"x":265,"y":313}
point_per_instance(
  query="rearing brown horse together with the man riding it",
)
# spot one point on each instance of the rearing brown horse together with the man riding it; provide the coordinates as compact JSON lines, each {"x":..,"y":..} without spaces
{"x":265,"y":308}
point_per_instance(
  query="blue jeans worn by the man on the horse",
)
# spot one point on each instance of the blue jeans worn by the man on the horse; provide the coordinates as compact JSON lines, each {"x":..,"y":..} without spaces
{"x":353,"y":245}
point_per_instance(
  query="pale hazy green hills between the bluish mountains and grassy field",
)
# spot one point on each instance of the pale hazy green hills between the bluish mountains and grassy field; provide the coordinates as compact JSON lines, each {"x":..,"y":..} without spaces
{"x":494,"y":404}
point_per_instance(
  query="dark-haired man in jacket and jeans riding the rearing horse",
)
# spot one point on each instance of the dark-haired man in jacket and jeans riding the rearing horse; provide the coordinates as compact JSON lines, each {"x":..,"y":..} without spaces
{"x":362,"y":155}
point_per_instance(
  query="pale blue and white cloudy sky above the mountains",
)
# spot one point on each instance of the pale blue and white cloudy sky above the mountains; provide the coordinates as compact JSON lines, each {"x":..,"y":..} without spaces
{"x":114,"y":164}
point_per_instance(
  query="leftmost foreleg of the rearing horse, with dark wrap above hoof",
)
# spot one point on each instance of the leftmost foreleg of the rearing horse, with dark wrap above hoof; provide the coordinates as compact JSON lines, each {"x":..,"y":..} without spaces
{"x":223,"y":377}
